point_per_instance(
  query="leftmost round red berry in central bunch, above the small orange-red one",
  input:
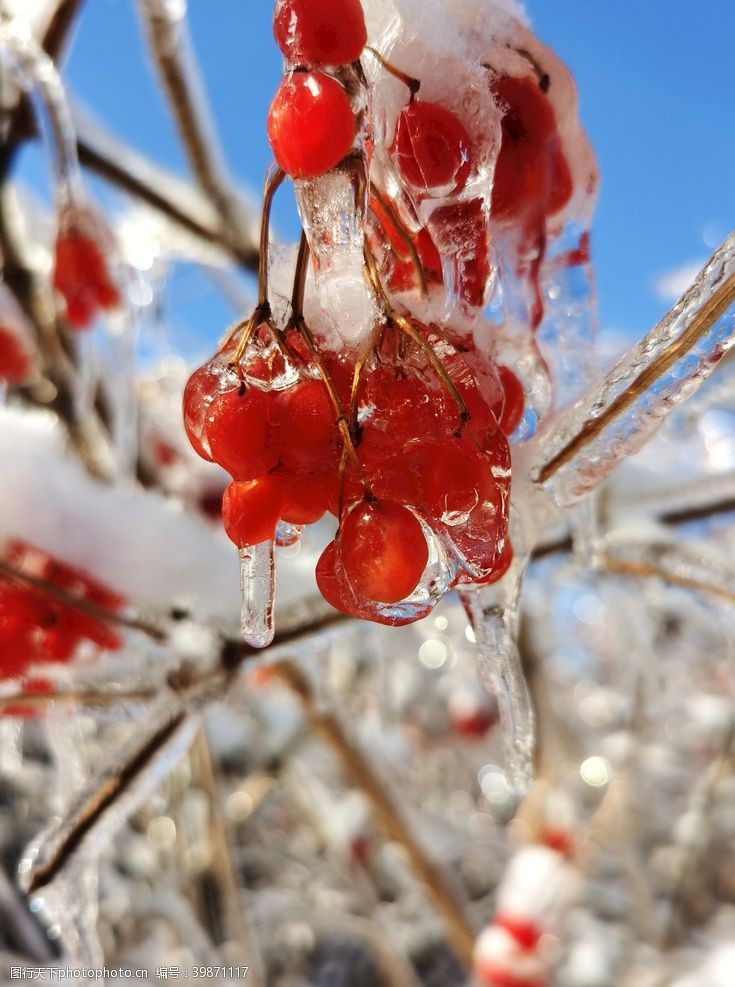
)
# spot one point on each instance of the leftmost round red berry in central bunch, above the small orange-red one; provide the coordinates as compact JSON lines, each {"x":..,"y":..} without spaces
{"x":239,"y":434}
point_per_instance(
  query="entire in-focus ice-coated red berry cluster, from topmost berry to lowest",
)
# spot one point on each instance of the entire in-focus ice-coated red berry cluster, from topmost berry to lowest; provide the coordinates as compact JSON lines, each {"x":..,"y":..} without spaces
{"x":402,"y":433}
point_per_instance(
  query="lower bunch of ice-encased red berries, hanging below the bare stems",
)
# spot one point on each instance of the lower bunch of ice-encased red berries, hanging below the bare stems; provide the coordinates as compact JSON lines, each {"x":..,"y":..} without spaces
{"x":420,"y":472}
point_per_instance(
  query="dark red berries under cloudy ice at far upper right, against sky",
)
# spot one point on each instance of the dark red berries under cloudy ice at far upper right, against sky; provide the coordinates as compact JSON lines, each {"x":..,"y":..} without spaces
{"x":531,"y":170}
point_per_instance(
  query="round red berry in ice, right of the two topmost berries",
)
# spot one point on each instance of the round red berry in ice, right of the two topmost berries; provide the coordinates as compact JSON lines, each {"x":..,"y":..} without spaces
{"x":432,"y":148}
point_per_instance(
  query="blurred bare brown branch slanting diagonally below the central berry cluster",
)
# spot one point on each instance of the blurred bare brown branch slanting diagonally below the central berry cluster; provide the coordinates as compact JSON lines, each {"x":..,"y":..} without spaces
{"x":362,"y":775}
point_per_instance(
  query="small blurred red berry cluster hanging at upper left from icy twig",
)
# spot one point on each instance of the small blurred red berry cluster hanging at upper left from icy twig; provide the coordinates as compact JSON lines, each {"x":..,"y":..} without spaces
{"x":81,"y":270}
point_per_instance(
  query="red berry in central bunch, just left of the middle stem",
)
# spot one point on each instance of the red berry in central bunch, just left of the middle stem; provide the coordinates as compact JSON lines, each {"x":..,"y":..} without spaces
{"x":309,"y":427}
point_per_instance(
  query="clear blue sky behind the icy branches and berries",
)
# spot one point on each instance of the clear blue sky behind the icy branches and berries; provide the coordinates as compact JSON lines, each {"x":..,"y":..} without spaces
{"x":655,"y":87}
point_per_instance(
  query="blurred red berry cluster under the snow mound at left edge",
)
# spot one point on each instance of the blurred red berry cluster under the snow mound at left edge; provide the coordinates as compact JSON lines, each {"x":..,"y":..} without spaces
{"x":37,"y":628}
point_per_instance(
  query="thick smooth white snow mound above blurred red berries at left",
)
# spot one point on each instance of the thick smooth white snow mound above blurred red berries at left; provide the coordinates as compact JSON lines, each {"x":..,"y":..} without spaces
{"x":140,"y":544}
